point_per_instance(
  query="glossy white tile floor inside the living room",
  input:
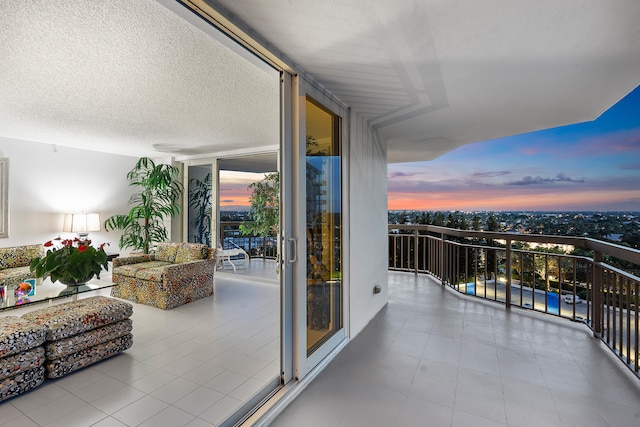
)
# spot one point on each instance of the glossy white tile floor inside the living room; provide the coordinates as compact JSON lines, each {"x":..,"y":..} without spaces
{"x":190,"y":366}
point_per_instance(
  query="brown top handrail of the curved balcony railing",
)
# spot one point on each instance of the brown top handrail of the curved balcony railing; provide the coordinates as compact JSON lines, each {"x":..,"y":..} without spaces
{"x":618,"y":251}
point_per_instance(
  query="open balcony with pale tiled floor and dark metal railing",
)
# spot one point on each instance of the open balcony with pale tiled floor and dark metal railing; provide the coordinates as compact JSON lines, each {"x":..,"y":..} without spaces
{"x":456,"y":346}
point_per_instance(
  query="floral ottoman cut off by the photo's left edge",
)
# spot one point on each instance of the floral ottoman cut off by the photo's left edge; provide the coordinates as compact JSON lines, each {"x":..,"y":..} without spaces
{"x":21,"y":356}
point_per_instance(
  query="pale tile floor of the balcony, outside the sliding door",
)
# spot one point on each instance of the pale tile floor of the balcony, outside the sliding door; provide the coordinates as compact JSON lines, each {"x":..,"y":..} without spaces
{"x":432,"y":358}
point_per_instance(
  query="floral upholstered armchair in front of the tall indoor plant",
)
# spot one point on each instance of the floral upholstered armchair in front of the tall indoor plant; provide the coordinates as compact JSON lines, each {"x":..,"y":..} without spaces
{"x":176,"y":274}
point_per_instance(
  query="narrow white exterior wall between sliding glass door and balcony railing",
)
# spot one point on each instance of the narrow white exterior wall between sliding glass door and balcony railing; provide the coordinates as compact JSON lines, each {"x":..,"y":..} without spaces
{"x":368,"y":224}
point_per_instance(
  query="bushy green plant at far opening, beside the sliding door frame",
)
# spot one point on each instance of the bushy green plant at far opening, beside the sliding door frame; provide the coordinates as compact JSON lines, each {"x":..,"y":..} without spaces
{"x":264,"y":211}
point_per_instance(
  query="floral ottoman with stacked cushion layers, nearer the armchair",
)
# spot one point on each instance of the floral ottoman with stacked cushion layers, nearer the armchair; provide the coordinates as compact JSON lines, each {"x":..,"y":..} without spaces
{"x":83,"y":332}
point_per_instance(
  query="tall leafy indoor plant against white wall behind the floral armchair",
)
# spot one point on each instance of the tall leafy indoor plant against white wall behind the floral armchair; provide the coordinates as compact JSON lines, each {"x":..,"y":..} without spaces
{"x":157,"y":198}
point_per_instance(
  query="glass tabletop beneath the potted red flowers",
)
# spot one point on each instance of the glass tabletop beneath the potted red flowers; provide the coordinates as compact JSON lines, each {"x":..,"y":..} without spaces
{"x":48,"y":291}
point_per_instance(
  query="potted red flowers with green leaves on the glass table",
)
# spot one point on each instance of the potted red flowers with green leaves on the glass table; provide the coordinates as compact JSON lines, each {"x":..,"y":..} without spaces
{"x":71,"y":261}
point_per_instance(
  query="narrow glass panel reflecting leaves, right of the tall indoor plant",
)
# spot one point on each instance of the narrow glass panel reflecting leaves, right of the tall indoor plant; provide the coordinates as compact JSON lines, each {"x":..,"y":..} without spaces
{"x":200,"y":204}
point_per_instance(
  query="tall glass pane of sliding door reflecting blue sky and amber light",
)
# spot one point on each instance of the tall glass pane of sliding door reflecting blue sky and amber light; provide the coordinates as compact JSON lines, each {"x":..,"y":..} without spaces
{"x":323,"y":225}
